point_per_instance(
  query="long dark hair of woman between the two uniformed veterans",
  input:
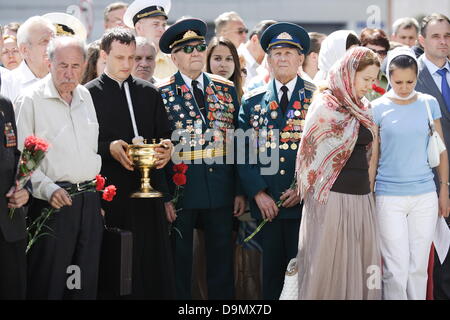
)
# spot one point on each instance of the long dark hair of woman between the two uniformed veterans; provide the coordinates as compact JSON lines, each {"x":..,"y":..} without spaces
{"x":236,"y":76}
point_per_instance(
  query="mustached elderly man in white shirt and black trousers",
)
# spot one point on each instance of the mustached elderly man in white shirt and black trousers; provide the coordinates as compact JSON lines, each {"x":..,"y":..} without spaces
{"x":60,"y":110}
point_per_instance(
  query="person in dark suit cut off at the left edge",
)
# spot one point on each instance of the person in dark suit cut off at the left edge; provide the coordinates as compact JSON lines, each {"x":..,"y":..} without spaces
{"x":12,"y":230}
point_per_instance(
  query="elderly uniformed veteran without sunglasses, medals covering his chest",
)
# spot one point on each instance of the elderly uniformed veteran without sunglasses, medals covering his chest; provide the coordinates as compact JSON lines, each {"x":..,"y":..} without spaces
{"x":276,"y":113}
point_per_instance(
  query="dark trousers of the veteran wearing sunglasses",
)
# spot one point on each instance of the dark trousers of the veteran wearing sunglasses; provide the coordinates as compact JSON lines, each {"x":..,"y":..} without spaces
{"x":217,"y":224}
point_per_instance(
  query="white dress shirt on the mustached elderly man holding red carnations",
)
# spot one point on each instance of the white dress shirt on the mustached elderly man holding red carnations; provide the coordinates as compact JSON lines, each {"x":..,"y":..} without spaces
{"x":71,"y":130}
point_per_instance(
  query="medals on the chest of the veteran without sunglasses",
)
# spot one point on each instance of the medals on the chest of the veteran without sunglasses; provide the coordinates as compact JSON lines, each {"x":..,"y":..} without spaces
{"x":291,"y":132}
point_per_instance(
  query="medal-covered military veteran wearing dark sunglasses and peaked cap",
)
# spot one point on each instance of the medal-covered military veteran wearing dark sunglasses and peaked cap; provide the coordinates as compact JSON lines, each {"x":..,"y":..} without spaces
{"x":201,"y":108}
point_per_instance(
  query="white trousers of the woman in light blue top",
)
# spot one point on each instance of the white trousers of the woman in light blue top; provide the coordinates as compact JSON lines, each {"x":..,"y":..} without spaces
{"x":406,"y":225}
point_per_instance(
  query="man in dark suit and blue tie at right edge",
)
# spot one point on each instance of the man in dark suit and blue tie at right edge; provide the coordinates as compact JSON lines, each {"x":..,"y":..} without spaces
{"x":434,"y":79}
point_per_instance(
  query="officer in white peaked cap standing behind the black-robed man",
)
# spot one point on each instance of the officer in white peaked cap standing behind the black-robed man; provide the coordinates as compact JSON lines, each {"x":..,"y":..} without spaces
{"x":149,"y":19}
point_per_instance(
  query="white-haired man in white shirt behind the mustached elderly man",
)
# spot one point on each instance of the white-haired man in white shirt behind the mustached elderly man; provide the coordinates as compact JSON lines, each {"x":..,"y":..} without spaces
{"x":33,"y":37}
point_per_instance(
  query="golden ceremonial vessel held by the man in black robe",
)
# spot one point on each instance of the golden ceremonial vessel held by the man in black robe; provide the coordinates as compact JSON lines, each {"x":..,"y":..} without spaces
{"x":143,"y":157}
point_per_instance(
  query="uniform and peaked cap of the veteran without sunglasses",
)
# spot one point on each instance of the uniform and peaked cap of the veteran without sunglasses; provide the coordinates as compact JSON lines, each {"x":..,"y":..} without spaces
{"x":275,"y":131}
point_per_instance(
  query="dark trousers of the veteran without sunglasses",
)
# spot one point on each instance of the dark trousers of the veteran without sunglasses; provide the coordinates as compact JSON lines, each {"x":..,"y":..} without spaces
{"x":279,"y":241}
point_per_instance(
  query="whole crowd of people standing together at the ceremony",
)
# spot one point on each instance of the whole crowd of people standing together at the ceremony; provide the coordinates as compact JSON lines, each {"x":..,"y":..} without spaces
{"x":346,"y":113}
